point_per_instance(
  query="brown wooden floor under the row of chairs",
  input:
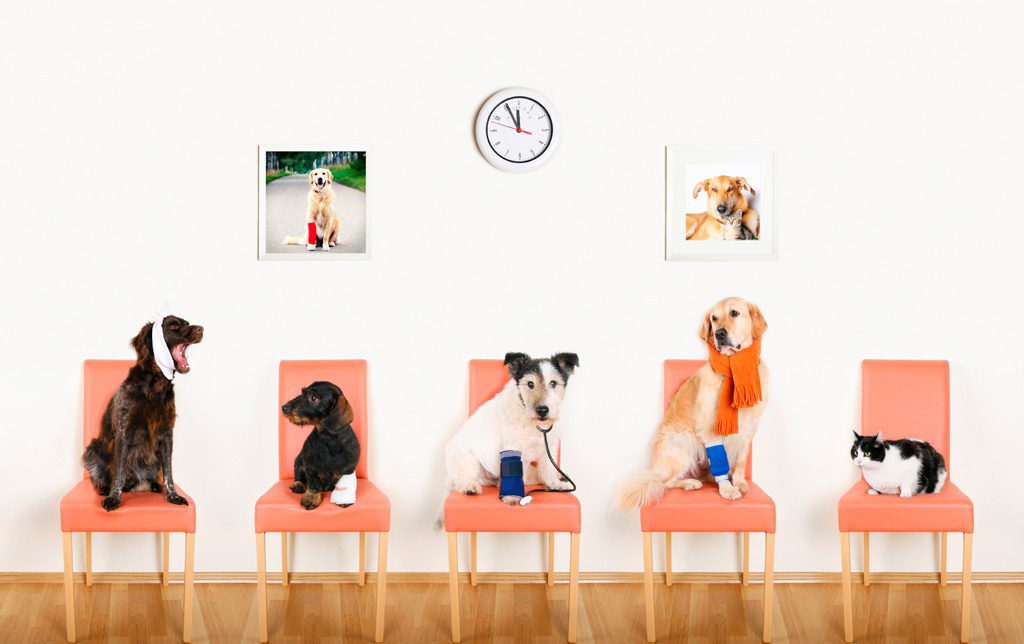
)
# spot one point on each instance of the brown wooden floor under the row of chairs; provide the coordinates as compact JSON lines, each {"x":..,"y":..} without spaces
{"x":510,"y":613}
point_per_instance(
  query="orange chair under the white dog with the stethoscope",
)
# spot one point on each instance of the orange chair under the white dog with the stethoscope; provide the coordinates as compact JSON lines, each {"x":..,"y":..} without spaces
{"x":485,"y":513}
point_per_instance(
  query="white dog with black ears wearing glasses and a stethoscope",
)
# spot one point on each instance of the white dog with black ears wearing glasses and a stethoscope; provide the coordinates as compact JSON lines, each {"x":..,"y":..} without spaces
{"x":510,"y":421}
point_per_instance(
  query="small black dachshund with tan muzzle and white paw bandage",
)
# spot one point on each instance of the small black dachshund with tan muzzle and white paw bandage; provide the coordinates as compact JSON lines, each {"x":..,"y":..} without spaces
{"x":332,"y":450}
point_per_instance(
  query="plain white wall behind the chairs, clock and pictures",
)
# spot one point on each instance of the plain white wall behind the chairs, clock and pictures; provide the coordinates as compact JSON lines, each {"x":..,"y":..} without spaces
{"x":129,"y":177}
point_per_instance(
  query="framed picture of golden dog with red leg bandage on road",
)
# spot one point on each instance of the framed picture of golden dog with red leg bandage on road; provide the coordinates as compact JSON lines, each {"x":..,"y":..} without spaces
{"x":313,"y":203}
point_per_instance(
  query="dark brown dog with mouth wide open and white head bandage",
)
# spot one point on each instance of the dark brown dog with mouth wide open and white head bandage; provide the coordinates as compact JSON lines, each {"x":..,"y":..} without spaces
{"x":136,"y":441}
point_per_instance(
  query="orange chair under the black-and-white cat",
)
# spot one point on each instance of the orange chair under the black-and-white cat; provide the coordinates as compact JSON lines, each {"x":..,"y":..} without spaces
{"x":907,"y":399}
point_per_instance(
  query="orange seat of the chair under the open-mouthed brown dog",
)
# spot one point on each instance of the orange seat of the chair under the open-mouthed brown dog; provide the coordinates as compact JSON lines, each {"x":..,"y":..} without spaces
{"x":81,"y":511}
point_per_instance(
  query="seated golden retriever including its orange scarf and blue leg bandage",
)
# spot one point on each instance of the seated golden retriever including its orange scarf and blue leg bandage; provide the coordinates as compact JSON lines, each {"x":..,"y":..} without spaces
{"x":707,"y":432}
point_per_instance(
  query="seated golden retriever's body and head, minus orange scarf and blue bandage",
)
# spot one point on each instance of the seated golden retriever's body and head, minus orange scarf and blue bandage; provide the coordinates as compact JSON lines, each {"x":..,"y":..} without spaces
{"x":679,"y":458}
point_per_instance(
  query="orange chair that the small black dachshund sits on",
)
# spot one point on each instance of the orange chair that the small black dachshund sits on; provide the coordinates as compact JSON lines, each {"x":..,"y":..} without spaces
{"x":279,"y":509}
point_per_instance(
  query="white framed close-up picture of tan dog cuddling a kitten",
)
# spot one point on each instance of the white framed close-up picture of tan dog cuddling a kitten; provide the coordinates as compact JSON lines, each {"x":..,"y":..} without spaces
{"x":719,"y":203}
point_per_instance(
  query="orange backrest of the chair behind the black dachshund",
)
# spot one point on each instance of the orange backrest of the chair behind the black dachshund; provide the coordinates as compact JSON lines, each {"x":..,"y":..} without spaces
{"x":351,"y":376}
